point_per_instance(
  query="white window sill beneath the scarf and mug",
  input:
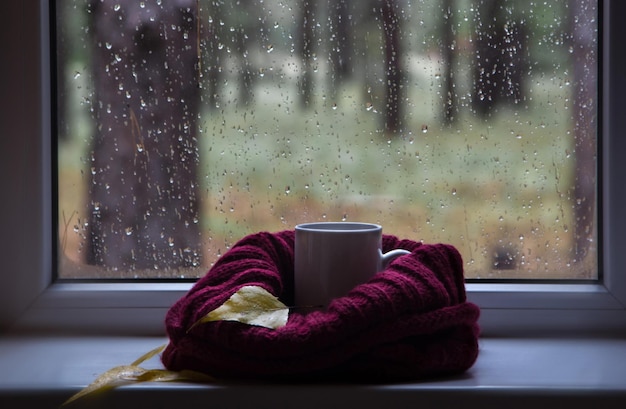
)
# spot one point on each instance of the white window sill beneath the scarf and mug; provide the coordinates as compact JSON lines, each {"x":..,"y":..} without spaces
{"x":44,"y":371}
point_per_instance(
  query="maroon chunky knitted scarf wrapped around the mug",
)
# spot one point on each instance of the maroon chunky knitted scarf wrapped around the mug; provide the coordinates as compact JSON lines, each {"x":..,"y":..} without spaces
{"x":410,"y":321}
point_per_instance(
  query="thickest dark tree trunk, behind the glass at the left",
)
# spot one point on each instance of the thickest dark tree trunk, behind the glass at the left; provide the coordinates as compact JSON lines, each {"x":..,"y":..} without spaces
{"x":143,"y":192}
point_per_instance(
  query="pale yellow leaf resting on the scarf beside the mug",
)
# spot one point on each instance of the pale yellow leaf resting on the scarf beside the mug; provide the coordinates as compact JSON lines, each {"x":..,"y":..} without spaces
{"x":251,"y":305}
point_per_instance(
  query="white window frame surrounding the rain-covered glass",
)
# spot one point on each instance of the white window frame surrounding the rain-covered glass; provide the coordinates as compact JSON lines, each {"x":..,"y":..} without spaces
{"x":30,"y":300}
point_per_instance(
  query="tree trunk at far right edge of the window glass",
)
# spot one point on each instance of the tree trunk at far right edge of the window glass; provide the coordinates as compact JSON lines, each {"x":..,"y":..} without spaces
{"x":582,"y":20}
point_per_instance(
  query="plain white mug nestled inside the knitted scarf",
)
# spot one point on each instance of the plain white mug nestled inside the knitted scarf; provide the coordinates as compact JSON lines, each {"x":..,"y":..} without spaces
{"x":333,"y":258}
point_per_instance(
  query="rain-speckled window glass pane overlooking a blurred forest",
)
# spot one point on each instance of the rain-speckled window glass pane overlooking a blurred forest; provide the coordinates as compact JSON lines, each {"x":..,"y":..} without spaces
{"x":185,"y":125}
